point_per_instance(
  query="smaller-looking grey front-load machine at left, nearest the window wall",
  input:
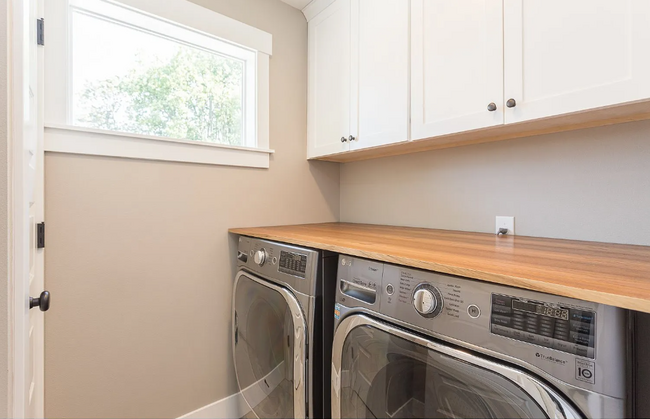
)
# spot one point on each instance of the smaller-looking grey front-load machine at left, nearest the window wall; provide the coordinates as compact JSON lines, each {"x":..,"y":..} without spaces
{"x":281,"y":338}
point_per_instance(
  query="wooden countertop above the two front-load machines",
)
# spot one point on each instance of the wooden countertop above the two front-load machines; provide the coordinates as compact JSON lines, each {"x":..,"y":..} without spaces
{"x":613,"y":274}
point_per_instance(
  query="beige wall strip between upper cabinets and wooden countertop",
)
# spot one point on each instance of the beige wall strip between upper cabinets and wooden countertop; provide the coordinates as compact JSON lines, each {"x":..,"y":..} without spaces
{"x":587,"y":185}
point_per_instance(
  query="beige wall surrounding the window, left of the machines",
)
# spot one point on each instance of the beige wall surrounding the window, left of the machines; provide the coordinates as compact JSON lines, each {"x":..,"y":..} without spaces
{"x":139,"y":262}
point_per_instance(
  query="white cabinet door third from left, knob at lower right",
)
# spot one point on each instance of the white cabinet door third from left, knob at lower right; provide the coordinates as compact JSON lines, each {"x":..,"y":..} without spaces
{"x":457,"y":66}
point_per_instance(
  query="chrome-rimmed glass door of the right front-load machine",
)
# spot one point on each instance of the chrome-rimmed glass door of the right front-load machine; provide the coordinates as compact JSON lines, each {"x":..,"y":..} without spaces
{"x":383,"y":372}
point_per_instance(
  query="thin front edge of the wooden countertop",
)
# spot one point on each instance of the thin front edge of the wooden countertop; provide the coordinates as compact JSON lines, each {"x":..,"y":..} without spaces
{"x":618,"y":300}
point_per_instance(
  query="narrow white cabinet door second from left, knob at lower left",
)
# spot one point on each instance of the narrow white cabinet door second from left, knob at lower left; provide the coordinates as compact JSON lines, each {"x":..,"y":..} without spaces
{"x":380,"y":72}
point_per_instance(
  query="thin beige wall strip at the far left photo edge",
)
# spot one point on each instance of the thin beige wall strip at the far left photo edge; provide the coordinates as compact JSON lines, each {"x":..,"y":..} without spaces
{"x":4,"y":272}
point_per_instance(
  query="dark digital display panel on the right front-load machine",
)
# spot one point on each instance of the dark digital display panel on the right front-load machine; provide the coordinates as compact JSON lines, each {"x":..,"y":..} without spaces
{"x":553,"y":326}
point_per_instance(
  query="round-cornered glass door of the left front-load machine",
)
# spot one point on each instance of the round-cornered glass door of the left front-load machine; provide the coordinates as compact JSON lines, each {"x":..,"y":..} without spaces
{"x":269,"y":348}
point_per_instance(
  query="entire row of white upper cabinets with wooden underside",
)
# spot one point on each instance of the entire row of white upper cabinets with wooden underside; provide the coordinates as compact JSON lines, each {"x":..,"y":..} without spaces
{"x":458,"y":72}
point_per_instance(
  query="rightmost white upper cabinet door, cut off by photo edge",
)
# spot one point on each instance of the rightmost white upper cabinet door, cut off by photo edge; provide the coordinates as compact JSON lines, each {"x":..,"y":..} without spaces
{"x":567,"y":56}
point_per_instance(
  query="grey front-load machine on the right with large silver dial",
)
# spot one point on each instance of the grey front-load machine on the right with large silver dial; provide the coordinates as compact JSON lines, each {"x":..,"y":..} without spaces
{"x":416,"y":344}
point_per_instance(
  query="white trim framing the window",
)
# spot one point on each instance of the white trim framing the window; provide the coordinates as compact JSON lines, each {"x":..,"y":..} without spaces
{"x":62,"y":137}
